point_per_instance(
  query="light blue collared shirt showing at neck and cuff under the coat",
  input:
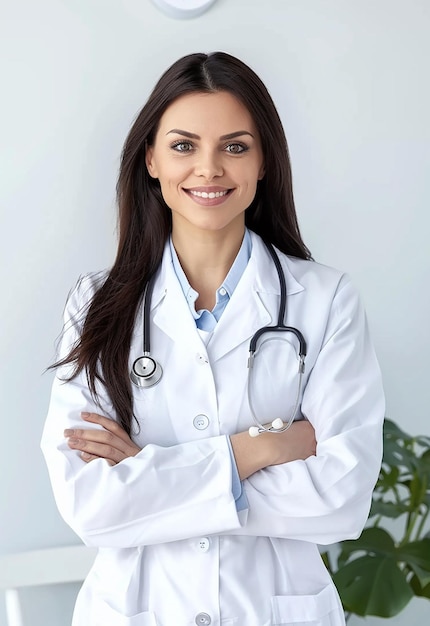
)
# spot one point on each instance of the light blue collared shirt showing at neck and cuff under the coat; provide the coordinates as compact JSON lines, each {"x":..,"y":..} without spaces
{"x":207,"y":320}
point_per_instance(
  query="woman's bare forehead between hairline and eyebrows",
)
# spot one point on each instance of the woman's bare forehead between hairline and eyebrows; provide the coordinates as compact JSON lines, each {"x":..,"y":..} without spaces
{"x":197,"y":112}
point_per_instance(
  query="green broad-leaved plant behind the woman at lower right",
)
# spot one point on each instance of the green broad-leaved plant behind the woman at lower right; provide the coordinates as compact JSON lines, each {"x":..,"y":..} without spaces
{"x":378,"y":574}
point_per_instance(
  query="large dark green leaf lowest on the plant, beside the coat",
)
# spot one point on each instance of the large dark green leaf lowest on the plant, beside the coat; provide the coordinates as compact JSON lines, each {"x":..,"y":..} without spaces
{"x":373,"y":585}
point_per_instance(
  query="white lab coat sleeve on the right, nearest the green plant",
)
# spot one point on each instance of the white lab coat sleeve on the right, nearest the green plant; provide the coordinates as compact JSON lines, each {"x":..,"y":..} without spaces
{"x":327,"y":497}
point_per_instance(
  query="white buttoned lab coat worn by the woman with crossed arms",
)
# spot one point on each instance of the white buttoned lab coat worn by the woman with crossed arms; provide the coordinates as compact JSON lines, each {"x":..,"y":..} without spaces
{"x":174,"y":551}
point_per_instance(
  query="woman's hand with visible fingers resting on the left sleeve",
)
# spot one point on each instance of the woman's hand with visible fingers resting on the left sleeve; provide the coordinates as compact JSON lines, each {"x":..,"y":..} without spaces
{"x":111,"y":443}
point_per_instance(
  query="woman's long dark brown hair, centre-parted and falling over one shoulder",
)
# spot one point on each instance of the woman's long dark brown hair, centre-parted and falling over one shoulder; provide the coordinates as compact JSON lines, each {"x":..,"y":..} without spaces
{"x":145,"y":220}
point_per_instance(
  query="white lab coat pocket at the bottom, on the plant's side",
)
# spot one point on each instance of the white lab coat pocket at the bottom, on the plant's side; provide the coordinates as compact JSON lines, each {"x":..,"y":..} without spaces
{"x":321,"y":609}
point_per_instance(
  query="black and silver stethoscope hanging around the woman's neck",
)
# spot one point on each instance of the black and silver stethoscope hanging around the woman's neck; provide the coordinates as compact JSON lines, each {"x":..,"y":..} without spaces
{"x":147,"y":372}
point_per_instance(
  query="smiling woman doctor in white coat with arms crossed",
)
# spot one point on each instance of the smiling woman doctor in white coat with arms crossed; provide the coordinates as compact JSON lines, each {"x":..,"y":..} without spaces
{"x":198,"y":522}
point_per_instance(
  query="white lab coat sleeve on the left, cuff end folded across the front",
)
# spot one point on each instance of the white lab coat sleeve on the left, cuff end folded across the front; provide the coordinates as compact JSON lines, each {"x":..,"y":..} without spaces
{"x":162,"y":494}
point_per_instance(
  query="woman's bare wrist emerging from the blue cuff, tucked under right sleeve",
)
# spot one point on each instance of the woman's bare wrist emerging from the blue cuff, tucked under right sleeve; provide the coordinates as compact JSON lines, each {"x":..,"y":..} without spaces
{"x":255,"y":453}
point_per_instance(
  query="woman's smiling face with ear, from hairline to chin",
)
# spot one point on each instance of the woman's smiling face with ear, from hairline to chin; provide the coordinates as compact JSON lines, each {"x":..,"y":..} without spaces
{"x":208,"y":159}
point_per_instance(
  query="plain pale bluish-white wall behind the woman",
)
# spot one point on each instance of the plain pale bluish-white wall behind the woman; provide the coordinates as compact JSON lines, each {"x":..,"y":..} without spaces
{"x":350,"y":79}
